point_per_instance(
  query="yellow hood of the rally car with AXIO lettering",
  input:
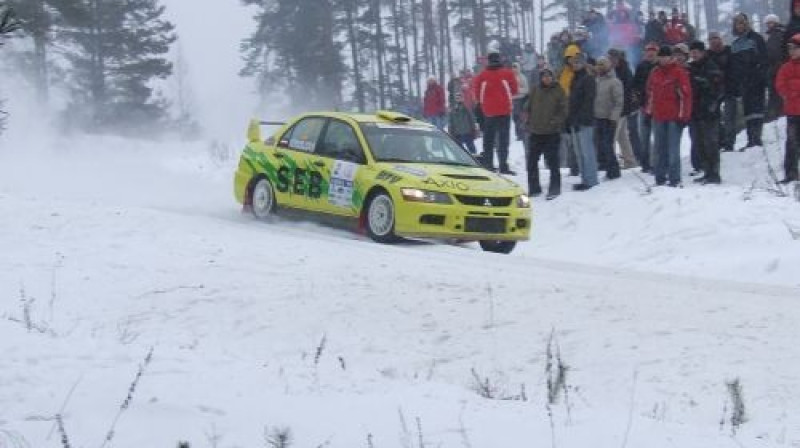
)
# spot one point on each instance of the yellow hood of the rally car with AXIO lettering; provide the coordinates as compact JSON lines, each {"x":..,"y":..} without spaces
{"x":453,"y":179}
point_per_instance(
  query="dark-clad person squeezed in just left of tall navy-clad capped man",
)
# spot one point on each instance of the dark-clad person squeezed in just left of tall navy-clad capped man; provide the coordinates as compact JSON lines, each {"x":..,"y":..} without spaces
{"x":720,"y":54}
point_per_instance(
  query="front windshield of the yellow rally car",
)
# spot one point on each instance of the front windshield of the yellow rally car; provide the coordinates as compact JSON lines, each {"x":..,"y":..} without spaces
{"x":402,"y":143}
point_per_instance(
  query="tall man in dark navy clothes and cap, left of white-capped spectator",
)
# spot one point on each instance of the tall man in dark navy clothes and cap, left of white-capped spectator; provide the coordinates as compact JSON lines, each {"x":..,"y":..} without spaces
{"x":748,"y":67}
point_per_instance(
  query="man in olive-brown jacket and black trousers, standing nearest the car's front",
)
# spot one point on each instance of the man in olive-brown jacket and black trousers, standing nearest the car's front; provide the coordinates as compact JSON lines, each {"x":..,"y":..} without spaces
{"x":547,"y":115}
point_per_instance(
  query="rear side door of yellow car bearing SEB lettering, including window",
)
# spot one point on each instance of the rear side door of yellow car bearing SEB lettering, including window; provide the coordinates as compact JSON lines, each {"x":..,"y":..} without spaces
{"x":298,"y":180}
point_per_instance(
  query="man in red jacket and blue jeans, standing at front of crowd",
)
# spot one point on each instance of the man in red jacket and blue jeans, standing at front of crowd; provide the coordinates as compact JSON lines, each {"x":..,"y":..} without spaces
{"x":670,"y":104}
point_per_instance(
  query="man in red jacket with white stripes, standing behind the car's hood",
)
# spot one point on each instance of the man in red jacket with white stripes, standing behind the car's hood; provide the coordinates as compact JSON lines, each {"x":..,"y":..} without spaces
{"x":494,"y":89}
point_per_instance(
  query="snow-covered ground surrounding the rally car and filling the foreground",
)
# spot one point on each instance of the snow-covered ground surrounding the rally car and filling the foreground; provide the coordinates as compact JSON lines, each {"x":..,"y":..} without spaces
{"x":113,"y":248}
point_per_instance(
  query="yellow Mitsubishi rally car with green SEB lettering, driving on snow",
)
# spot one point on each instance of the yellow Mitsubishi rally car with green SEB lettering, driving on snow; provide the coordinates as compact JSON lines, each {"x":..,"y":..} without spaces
{"x":392,"y":175}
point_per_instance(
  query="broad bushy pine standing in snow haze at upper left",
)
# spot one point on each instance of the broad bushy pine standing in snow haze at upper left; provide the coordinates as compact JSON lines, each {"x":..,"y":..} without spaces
{"x":119,"y":49}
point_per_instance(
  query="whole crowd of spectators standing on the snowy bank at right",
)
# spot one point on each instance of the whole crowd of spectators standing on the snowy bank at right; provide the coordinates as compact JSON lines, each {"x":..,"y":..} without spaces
{"x":618,"y":92}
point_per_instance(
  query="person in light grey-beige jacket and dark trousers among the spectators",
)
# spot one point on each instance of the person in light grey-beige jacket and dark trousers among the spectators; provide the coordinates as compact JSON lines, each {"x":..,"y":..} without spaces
{"x":609,"y":102}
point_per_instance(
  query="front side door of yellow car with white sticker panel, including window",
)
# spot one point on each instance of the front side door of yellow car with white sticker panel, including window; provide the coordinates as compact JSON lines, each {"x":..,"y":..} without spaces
{"x":339,"y":157}
